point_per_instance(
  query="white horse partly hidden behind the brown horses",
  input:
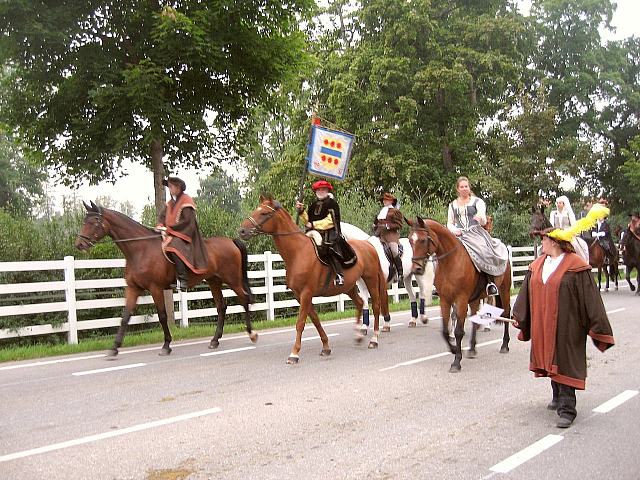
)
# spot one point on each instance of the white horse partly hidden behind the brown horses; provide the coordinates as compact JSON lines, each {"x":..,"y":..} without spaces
{"x":425,"y":281}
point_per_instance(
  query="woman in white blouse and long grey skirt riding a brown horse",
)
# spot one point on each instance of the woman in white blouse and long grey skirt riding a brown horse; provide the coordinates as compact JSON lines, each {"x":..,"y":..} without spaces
{"x":466,"y":217}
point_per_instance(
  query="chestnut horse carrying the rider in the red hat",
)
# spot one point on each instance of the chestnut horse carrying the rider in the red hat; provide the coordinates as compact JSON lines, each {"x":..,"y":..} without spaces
{"x":307,"y":277}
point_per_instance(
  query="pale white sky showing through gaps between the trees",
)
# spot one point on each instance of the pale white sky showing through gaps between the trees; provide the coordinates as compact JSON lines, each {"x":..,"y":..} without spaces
{"x":136,"y":186}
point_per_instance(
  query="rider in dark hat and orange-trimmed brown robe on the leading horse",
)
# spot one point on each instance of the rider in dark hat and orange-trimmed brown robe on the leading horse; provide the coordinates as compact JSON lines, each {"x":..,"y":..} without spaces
{"x":182,"y":242}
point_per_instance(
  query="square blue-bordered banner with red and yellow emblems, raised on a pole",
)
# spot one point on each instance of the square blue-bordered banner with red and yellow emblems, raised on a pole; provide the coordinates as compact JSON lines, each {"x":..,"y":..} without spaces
{"x":329,"y":152}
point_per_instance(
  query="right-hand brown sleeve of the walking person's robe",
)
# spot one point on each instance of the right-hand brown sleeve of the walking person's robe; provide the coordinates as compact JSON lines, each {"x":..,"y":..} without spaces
{"x":593,"y":311}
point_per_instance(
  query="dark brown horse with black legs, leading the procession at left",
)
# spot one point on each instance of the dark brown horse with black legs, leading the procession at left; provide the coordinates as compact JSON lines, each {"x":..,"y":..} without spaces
{"x":147,"y":269}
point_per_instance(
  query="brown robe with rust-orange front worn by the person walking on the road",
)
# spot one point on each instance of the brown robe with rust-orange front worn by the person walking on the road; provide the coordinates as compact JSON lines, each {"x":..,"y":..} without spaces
{"x":558,"y":316}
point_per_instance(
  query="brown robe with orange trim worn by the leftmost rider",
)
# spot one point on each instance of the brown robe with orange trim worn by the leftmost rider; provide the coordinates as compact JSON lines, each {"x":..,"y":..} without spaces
{"x":183,"y":236}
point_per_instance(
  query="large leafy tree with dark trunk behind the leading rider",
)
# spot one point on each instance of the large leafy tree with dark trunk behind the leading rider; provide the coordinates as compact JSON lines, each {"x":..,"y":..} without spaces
{"x":91,"y":83}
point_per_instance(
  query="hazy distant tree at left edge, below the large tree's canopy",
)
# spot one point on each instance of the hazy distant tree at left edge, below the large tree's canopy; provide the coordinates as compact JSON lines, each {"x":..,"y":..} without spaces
{"x":20,"y":180}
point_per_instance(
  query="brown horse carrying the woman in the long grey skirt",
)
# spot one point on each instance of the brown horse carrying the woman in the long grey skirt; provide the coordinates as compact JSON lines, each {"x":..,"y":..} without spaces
{"x":457,"y":283}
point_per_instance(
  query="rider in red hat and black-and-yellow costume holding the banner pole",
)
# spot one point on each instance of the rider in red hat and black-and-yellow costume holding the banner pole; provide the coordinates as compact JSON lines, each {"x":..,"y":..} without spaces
{"x":323,"y":216}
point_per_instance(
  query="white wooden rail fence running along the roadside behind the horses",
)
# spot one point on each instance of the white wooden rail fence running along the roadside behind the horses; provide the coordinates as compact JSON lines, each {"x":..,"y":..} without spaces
{"x":267,"y":284}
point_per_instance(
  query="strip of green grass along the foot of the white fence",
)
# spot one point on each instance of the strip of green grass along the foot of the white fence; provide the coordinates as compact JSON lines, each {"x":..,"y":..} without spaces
{"x":154,"y":336}
